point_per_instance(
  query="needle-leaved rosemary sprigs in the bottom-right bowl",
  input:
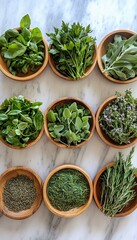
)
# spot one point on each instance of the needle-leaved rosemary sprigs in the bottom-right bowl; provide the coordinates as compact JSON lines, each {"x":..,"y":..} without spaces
{"x":118,"y":184}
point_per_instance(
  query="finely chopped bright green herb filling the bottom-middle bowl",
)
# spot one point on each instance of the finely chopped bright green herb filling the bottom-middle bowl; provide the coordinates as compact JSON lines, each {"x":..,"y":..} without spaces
{"x":68,"y":189}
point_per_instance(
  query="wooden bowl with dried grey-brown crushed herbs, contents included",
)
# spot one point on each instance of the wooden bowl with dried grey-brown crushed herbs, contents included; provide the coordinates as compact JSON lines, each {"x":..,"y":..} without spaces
{"x":20,"y":192}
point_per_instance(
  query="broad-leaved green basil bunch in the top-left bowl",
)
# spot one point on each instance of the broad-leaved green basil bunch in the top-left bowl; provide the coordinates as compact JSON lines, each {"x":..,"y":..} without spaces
{"x":22,"y":49}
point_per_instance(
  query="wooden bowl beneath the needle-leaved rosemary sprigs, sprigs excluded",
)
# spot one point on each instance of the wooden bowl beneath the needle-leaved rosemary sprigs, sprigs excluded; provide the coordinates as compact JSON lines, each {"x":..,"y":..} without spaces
{"x":132,"y":205}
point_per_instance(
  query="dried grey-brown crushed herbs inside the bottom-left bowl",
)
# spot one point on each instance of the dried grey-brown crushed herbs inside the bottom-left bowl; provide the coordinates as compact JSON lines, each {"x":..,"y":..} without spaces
{"x":19,"y":193}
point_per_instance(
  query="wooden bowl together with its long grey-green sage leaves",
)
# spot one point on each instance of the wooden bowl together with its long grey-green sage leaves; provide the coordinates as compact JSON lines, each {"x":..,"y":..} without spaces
{"x":117,"y":56}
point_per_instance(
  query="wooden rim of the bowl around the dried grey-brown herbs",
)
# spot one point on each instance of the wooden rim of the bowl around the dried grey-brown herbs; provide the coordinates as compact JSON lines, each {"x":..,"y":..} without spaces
{"x":29,"y":212}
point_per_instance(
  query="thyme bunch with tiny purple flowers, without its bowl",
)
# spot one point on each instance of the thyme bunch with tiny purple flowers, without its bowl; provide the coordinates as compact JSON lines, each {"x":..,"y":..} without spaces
{"x":119,"y":119}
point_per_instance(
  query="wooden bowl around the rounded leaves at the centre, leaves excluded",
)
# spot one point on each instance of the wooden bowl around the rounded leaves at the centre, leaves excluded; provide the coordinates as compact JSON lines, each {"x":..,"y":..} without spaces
{"x":61,"y":102}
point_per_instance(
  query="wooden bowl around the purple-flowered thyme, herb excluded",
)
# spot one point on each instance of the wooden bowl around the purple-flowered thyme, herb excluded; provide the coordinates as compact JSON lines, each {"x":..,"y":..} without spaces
{"x":105,"y":138}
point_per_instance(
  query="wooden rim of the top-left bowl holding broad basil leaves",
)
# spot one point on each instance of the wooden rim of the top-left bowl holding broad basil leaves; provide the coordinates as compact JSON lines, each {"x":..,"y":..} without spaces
{"x":32,"y":76}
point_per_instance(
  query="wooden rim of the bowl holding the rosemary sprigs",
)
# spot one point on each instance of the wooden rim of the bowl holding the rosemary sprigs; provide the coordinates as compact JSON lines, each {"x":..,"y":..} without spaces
{"x":95,"y":181}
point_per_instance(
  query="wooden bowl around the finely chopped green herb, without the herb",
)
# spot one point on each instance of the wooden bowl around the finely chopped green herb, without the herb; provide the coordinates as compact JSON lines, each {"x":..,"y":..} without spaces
{"x":73,"y":212}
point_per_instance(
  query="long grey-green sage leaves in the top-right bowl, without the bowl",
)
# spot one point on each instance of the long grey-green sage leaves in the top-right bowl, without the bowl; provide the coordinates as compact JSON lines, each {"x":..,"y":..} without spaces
{"x":120,"y":60}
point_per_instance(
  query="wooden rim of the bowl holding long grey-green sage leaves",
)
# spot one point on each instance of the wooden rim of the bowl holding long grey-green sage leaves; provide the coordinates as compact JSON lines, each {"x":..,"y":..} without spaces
{"x":100,"y":64}
